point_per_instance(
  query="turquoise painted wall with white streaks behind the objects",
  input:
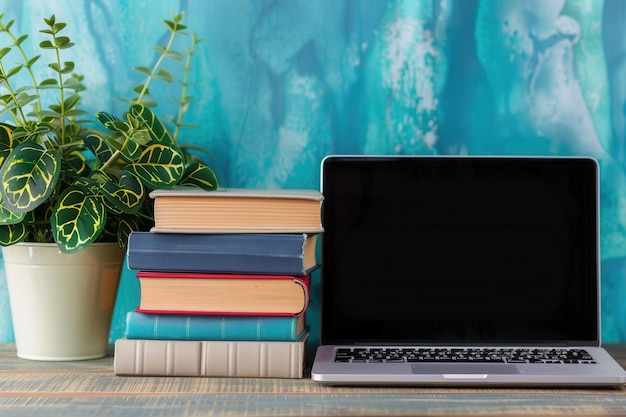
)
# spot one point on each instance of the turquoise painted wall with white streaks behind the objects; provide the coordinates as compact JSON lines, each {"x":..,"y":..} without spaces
{"x":280,"y":84}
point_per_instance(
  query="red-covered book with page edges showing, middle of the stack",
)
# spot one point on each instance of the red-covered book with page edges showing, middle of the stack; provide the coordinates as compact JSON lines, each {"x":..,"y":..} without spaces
{"x":224,"y":294}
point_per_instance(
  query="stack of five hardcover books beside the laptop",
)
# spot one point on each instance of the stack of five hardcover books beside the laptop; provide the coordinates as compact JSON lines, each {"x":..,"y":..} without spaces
{"x":224,"y":280}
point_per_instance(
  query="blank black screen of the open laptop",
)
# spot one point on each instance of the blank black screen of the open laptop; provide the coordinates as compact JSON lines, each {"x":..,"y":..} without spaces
{"x":473,"y":250}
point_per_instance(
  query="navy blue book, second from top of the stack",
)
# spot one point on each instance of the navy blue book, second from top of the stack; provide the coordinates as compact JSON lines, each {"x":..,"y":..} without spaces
{"x":264,"y":254}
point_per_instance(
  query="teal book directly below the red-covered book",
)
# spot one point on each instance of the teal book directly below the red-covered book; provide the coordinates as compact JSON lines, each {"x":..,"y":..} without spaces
{"x":206,"y":327}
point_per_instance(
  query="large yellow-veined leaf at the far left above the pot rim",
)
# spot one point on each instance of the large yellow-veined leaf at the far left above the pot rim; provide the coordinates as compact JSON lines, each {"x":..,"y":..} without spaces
{"x":28,"y":176}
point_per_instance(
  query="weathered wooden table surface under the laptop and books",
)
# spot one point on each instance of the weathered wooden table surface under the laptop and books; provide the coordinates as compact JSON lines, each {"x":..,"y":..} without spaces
{"x":89,"y":388}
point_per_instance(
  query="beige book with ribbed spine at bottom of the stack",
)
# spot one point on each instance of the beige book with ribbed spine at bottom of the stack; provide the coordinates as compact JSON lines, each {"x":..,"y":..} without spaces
{"x":209,"y":358}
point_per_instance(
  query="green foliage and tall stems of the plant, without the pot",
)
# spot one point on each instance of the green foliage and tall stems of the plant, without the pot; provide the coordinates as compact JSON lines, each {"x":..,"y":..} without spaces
{"x":61,"y":181}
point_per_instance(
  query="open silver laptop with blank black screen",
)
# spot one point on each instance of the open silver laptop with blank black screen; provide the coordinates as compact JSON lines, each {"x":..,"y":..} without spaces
{"x":457,"y":270}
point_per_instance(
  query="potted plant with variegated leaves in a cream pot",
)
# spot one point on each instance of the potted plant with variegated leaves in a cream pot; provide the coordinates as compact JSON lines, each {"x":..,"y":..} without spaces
{"x":71,"y":193}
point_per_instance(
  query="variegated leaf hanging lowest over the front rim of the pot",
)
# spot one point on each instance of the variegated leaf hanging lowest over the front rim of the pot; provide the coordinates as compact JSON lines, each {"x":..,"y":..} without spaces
{"x":78,"y":218}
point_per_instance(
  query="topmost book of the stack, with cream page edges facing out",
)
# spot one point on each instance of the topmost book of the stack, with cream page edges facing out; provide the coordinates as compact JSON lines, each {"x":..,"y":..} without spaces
{"x":237,"y":210}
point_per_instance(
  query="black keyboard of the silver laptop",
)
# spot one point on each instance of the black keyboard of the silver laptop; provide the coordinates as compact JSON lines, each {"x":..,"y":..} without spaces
{"x":469,"y":355}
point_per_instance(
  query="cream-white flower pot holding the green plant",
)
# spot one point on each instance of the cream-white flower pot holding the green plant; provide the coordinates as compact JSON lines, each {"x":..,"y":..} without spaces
{"x":62,"y":304}
